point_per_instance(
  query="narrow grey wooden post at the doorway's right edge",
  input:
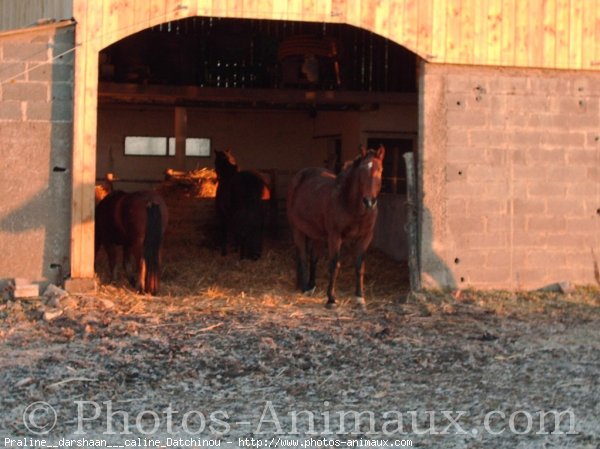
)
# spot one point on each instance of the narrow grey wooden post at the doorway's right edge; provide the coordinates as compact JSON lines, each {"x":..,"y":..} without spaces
{"x":411,"y":224}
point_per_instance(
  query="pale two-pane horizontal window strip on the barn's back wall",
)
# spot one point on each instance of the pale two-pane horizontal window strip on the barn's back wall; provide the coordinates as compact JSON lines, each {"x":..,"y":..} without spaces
{"x":163,"y":146}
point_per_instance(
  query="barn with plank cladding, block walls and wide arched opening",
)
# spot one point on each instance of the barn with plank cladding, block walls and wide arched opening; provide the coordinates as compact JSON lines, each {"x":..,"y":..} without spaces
{"x":499,"y":102}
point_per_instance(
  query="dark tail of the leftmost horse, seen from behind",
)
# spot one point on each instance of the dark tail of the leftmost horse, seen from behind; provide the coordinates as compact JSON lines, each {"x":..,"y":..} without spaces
{"x":152,"y":243}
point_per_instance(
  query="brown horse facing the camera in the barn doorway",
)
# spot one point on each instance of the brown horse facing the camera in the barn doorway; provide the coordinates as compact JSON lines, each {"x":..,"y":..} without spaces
{"x":324,"y":207}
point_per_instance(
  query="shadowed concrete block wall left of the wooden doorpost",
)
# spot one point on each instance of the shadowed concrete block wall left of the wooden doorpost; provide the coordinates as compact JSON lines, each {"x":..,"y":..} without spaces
{"x":36,"y":126}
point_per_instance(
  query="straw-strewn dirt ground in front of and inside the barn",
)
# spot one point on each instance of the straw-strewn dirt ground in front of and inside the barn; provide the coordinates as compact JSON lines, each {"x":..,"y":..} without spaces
{"x":230,"y":352}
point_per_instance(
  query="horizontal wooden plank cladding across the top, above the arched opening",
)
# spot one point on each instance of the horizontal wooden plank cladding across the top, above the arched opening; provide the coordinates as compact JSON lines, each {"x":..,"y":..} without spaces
{"x":533,"y":33}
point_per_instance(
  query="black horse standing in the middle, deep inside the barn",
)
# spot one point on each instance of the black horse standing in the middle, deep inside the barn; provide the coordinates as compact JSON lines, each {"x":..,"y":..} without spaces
{"x":241,"y":206}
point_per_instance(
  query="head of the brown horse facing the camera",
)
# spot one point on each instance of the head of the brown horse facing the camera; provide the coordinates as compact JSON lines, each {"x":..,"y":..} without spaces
{"x":369,"y":167}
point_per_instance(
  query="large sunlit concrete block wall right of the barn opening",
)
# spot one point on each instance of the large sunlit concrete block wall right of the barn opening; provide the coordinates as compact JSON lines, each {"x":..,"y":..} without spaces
{"x":511,"y":177}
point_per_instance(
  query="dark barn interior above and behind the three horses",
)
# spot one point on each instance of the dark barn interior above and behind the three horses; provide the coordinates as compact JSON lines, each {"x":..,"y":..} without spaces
{"x":280,"y":95}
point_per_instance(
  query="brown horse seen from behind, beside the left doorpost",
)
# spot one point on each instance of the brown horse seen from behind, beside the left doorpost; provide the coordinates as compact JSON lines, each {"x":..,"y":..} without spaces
{"x":136,"y":221}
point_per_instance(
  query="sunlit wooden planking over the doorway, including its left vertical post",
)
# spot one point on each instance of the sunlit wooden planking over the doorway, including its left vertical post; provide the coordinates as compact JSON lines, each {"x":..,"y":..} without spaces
{"x":561,"y":34}
